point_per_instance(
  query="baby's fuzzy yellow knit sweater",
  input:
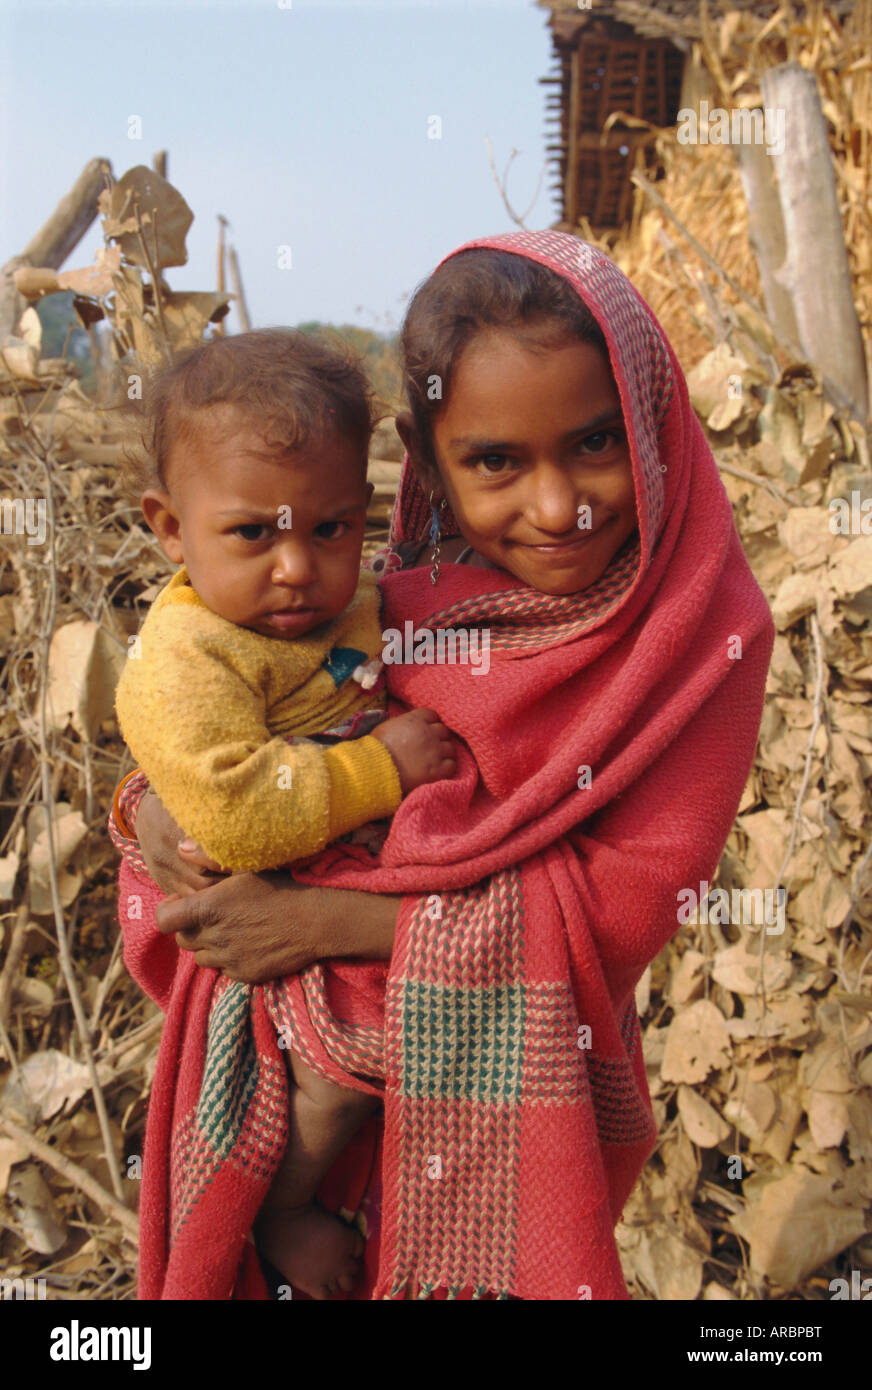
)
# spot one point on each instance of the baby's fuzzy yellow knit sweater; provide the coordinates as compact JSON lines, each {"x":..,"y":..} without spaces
{"x":204,"y":707}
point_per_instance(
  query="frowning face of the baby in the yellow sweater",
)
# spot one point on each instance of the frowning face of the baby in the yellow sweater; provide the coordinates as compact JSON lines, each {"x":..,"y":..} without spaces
{"x":269,"y":544}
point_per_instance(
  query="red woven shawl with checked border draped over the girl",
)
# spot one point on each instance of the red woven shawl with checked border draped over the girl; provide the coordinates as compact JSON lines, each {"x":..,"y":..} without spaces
{"x":517,"y":1109}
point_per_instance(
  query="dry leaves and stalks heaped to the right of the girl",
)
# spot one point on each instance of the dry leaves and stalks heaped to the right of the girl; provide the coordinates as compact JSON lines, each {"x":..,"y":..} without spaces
{"x":759,"y":1047}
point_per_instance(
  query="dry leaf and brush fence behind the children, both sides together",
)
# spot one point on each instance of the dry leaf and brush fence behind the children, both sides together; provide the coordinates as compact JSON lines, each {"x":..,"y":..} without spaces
{"x":759,"y":1049}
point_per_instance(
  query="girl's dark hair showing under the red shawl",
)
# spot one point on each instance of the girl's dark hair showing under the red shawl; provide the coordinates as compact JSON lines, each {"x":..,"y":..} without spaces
{"x":476,"y":290}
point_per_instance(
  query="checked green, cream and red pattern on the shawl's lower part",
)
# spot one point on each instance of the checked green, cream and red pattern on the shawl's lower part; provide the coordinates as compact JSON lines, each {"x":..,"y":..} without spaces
{"x":469,"y":1046}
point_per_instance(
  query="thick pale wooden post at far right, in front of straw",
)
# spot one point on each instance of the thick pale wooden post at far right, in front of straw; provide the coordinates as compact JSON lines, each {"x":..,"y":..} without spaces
{"x":816,"y":272}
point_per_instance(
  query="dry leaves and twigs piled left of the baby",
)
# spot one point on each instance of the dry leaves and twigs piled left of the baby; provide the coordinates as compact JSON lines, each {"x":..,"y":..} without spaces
{"x":87,"y":590}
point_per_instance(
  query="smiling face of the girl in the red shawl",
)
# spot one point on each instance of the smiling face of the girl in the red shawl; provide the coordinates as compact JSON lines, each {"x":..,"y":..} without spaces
{"x":535,"y":459}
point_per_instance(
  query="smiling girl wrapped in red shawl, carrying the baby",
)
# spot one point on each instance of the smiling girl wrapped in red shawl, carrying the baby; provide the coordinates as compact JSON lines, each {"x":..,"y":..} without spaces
{"x":560,"y":493}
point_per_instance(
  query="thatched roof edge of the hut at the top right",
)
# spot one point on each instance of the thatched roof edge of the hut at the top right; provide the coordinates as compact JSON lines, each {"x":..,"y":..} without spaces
{"x":677,"y":20}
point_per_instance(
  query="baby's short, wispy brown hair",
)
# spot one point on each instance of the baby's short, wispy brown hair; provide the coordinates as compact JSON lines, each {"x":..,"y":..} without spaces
{"x":286,"y":384}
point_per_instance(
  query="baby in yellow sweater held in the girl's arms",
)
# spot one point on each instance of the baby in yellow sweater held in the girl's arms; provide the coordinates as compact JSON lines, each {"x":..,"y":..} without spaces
{"x":265,"y":639}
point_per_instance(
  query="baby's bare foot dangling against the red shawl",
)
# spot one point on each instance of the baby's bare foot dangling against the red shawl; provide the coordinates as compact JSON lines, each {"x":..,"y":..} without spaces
{"x":312,"y":1249}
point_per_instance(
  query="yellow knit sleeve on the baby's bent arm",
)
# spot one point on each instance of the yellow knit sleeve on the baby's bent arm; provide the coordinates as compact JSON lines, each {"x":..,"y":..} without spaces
{"x":195,"y":721}
